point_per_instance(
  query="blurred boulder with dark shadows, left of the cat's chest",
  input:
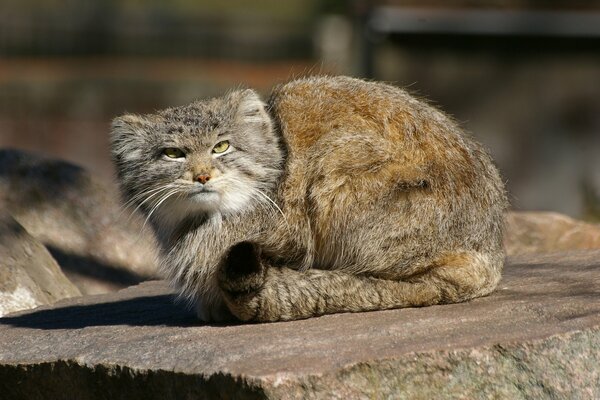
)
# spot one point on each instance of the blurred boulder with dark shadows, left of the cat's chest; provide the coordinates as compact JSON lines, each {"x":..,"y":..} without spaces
{"x":79,"y":218}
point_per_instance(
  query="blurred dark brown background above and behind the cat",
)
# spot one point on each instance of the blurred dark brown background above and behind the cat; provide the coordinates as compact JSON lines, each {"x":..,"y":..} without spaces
{"x":522,"y":76}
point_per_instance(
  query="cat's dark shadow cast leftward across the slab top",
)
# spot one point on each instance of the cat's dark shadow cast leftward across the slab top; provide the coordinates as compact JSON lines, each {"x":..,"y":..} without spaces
{"x":158,"y":310}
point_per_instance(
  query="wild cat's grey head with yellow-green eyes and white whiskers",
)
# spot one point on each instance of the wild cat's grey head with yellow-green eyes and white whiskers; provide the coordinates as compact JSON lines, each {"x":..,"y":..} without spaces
{"x":212,"y":156}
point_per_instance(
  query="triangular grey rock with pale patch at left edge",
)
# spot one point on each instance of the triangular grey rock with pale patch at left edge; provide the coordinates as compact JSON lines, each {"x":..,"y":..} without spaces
{"x":29,"y":276}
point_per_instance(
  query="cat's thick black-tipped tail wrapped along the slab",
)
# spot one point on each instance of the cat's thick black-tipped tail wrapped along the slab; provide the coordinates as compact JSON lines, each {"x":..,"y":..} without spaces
{"x":254,"y":291}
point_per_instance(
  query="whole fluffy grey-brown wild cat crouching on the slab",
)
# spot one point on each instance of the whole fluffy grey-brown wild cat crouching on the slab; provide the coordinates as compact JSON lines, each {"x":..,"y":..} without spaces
{"x":337,"y":195}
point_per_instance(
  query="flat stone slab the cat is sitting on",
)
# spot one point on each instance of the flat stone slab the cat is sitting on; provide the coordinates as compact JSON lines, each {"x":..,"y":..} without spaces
{"x":537,"y":336}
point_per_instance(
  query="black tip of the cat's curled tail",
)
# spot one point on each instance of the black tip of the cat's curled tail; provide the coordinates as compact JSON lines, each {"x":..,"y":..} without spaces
{"x":241,"y":272}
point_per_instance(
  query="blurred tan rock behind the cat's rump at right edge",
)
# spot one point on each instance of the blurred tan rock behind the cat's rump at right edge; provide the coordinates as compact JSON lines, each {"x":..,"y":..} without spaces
{"x":543,"y":232}
